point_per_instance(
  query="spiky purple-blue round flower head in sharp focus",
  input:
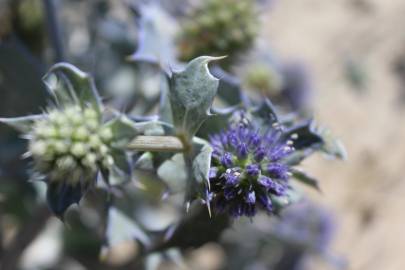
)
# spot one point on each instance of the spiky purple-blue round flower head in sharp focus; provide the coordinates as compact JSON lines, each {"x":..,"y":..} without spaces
{"x":247,"y":169}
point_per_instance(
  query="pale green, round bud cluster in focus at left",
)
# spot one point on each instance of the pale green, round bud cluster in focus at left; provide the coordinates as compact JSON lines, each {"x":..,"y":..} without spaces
{"x":71,"y":144}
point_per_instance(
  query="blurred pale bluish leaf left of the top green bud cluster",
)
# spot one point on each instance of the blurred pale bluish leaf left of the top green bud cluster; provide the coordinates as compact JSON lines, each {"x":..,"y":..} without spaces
{"x":157,"y":31}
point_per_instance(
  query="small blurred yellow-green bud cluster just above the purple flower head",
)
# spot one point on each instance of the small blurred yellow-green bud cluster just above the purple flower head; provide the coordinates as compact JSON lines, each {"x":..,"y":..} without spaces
{"x":263,"y":78}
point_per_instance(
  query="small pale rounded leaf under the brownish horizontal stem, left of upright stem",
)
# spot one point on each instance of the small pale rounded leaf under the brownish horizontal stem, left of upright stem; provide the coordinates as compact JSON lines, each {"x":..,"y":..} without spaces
{"x":173,"y":173}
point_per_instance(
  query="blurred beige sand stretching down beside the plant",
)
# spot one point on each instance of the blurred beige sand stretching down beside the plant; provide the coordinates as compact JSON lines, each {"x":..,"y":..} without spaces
{"x":367,"y":192}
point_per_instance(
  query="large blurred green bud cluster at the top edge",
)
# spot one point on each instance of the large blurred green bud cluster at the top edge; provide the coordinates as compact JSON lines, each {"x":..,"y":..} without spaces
{"x":219,"y":27}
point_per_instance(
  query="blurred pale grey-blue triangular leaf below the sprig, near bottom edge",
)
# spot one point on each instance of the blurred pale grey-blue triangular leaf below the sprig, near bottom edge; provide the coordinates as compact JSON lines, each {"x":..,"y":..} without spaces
{"x":120,"y":228}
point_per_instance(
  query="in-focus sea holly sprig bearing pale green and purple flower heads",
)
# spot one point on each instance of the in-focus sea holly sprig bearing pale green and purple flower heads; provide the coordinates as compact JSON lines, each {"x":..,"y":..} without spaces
{"x":226,"y":164}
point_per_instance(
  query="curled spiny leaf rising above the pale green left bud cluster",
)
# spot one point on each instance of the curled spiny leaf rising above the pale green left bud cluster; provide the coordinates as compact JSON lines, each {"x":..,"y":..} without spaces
{"x":68,"y":85}
